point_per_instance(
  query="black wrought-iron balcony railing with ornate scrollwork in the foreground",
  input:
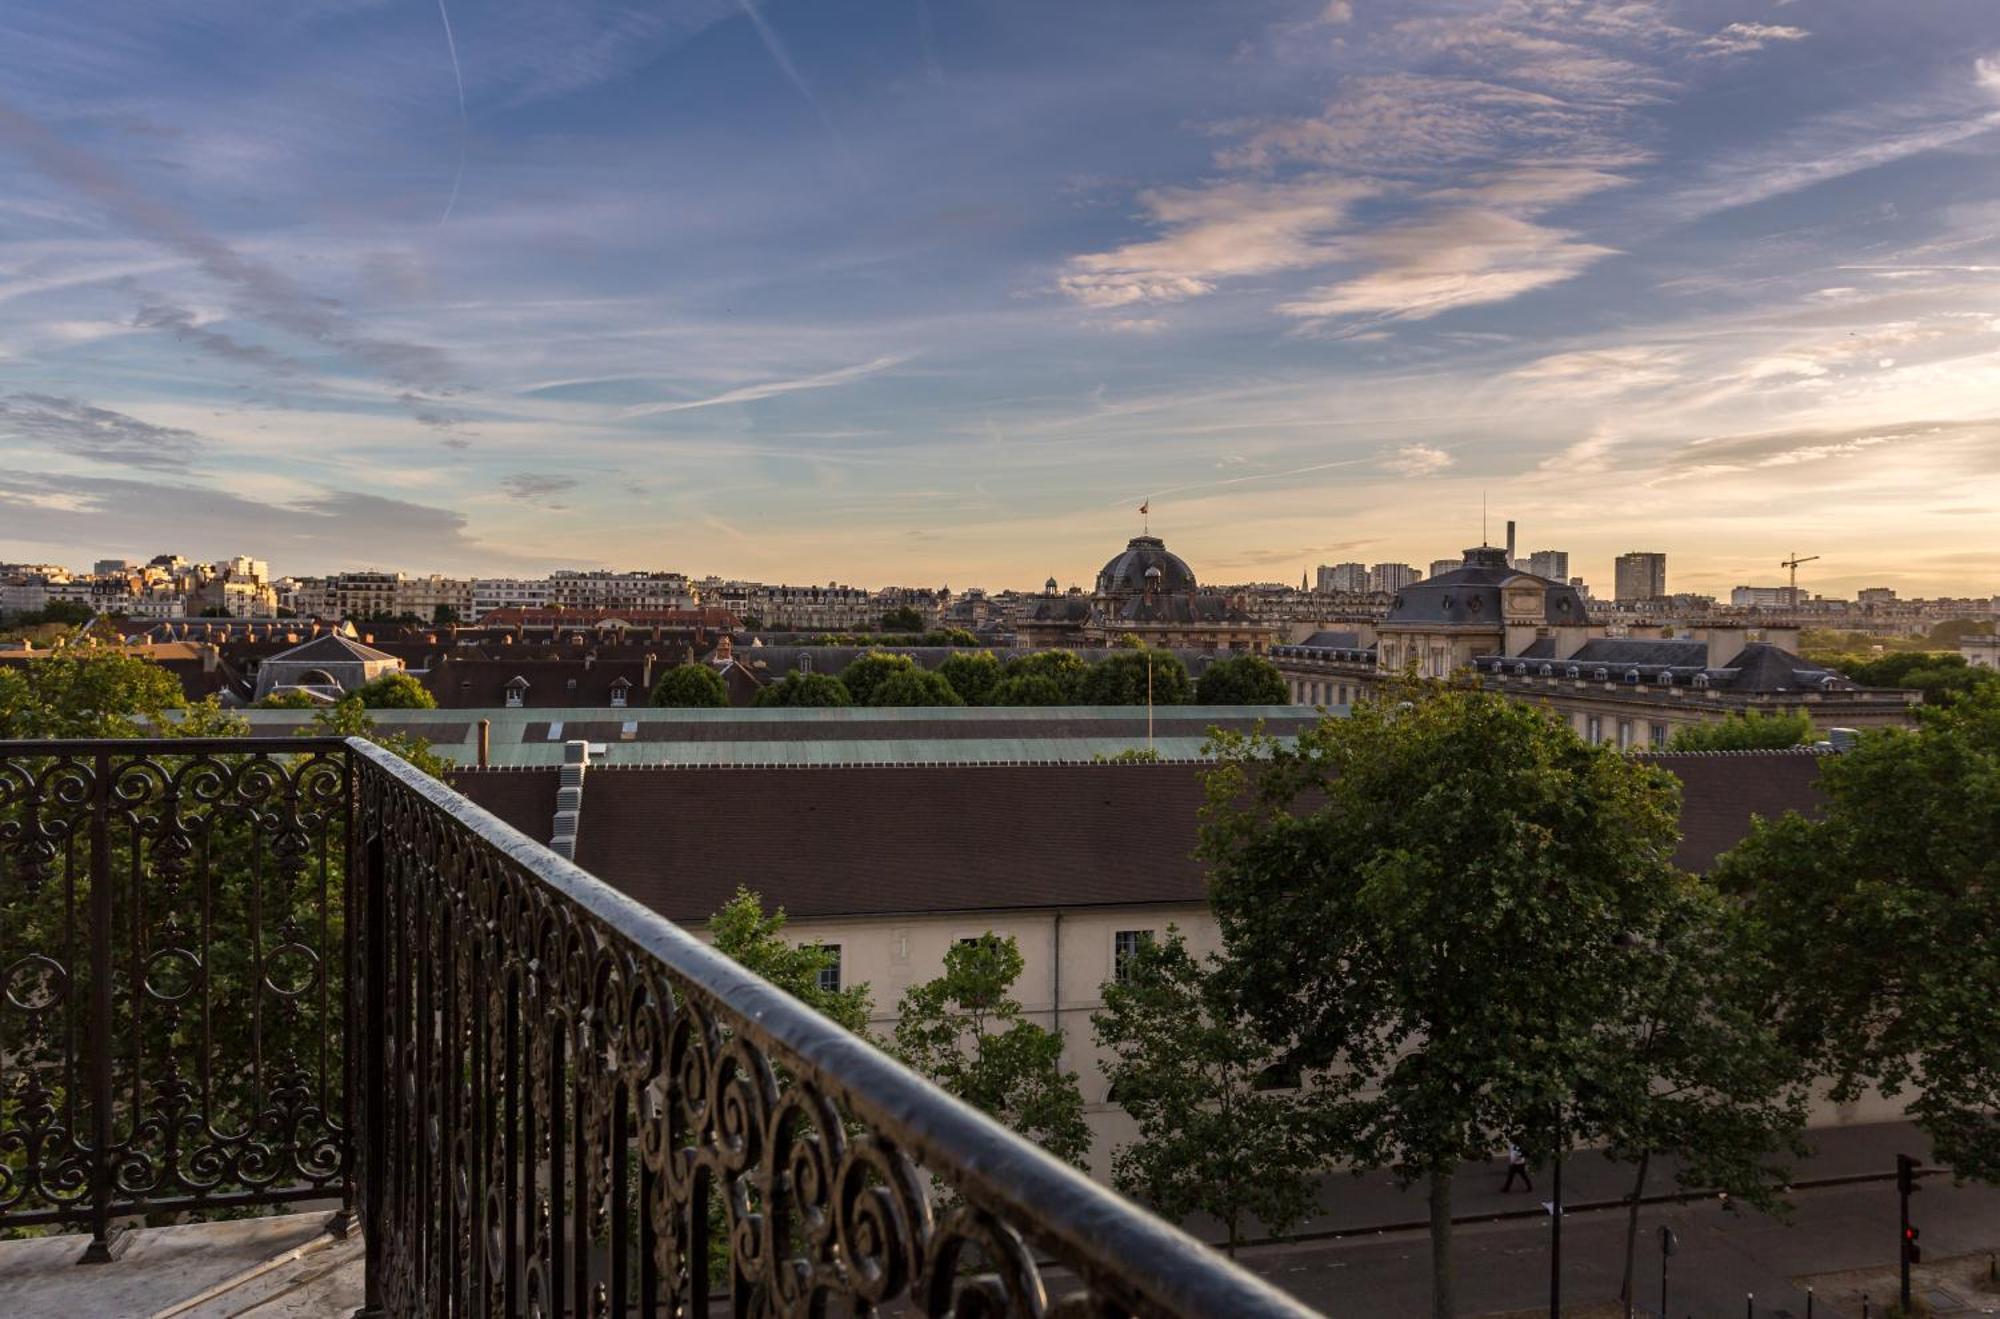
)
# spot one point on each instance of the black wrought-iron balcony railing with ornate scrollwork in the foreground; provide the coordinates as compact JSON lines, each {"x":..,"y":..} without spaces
{"x":247,"y":976}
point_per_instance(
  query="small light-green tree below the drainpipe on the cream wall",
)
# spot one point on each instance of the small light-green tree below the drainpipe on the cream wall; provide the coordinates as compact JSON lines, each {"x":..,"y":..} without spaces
{"x":971,"y":1038}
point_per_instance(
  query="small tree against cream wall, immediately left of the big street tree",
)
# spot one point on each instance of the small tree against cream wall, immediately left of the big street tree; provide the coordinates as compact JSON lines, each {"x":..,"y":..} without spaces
{"x":1215,"y":1136}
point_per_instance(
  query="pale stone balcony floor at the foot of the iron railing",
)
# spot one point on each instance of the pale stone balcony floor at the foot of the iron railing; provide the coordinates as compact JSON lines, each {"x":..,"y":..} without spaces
{"x":267,"y":1268}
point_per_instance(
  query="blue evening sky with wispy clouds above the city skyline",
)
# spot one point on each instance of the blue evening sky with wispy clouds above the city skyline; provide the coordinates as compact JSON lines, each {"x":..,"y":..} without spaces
{"x":939,"y":293}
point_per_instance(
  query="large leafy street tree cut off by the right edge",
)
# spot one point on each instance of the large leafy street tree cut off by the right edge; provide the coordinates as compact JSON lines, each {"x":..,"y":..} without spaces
{"x":1885,"y":918}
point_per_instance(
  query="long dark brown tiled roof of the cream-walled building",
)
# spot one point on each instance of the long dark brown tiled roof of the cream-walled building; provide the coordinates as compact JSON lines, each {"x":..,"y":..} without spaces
{"x":969,"y":838}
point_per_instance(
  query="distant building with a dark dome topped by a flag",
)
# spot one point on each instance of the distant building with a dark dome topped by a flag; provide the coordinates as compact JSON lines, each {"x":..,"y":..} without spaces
{"x":1147,"y":591}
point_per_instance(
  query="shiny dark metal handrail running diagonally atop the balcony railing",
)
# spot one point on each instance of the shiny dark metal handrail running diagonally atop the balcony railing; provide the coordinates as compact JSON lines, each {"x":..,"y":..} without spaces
{"x":1129,"y":1256}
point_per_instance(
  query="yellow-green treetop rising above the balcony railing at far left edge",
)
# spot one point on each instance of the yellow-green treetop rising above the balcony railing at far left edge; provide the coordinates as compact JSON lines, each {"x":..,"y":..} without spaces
{"x":87,"y":692}
